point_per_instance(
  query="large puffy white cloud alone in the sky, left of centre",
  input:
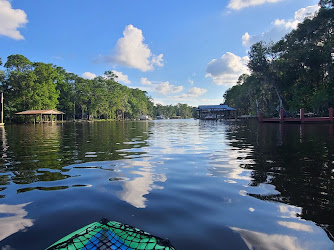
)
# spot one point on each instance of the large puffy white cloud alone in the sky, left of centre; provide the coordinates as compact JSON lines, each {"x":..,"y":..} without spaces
{"x":130,"y":51}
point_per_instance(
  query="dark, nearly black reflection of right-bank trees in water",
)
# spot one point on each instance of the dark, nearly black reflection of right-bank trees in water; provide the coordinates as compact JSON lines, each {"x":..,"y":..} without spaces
{"x":298,"y":160}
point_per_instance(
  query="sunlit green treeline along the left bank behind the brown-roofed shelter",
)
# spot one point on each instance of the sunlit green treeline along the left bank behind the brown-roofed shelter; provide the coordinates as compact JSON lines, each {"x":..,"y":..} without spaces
{"x":36,"y":86}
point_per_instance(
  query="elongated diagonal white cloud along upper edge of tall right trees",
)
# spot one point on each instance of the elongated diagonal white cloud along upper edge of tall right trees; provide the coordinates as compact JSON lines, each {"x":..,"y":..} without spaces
{"x":280,"y":27}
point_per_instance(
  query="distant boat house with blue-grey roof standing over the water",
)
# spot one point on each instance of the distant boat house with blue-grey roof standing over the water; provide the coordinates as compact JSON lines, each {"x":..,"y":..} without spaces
{"x":216,"y":112}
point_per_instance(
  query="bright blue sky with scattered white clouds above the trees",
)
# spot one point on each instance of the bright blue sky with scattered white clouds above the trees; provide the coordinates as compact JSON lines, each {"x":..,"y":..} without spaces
{"x":187,"y":51}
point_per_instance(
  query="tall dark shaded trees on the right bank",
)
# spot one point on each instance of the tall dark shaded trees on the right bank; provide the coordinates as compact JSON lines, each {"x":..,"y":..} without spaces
{"x":296,"y":72}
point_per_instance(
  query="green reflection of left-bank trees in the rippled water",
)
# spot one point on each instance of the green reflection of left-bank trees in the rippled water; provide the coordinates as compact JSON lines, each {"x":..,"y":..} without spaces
{"x":38,"y":153}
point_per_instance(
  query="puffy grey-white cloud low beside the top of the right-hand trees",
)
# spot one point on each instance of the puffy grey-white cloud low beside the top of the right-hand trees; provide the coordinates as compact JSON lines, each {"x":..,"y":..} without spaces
{"x":227,"y":69}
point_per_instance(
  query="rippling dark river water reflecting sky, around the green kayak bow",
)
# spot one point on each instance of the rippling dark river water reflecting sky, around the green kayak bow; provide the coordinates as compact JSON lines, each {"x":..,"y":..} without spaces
{"x":201,"y":184}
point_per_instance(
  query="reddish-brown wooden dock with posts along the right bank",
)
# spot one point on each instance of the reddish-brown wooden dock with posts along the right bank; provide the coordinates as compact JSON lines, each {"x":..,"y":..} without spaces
{"x":301,"y":119}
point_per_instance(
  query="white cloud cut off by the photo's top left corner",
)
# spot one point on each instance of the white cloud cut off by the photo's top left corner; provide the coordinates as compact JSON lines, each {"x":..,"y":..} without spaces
{"x":10,"y":20}
